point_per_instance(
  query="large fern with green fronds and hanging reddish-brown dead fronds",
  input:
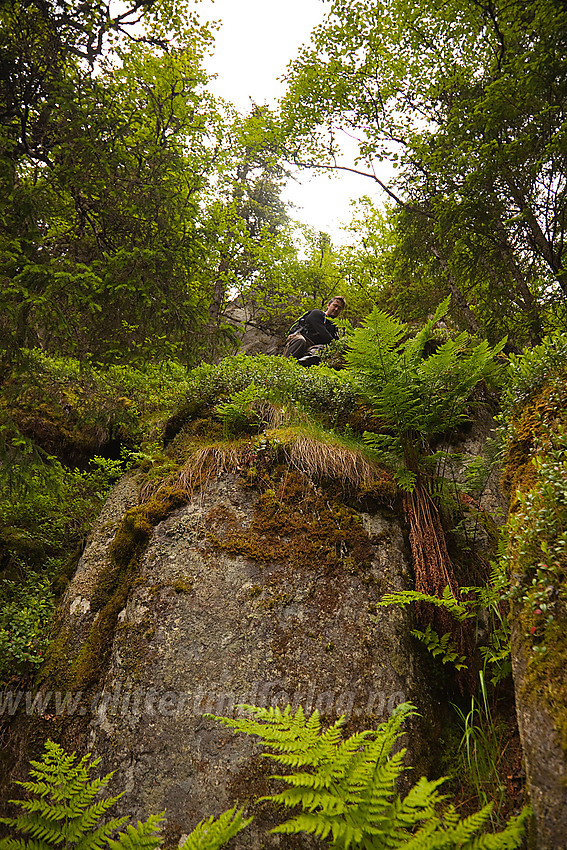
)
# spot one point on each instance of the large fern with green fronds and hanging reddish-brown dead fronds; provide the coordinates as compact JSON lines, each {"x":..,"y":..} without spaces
{"x":416,"y":397}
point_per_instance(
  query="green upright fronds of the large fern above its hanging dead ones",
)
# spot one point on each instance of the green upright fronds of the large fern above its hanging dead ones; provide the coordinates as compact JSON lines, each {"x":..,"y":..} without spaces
{"x":414,"y":396}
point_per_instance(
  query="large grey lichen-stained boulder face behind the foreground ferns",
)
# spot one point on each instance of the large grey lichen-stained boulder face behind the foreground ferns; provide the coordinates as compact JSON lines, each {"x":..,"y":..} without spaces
{"x":231,"y":604}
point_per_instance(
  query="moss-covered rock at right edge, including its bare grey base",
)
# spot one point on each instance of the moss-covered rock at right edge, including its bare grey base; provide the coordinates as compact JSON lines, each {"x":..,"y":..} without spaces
{"x":536,"y":562}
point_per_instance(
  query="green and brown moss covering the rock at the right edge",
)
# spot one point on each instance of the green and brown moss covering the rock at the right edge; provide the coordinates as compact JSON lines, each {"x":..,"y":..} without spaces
{"x":535,"y":557}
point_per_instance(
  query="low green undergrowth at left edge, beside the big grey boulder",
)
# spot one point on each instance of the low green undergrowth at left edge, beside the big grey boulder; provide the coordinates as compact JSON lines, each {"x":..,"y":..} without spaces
{"x":43,"y":522}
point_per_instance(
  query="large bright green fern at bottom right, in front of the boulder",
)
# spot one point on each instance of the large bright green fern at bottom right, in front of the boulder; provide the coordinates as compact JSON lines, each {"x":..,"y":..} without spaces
{"x":346,"y":789}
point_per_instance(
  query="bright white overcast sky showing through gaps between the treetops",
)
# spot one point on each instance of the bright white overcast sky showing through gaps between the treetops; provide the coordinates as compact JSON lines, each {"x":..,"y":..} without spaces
{"x":255,"y":43}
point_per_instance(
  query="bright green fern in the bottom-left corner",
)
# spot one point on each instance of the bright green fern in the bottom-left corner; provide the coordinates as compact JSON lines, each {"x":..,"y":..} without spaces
{"x":62,"y":809}
